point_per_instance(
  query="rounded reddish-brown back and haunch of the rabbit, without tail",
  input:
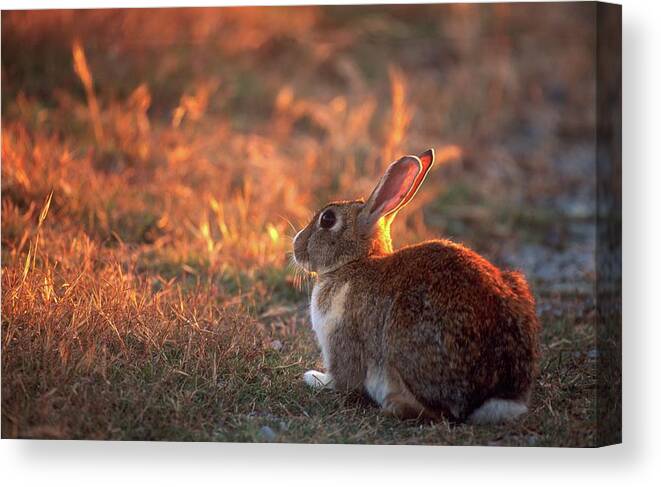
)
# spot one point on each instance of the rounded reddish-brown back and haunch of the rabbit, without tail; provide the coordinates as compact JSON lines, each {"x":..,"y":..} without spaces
{"x":459,"y":330}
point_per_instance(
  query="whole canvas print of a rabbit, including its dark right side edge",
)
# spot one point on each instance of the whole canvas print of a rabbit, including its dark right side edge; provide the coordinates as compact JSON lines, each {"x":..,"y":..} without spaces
{"x":376,"y":224}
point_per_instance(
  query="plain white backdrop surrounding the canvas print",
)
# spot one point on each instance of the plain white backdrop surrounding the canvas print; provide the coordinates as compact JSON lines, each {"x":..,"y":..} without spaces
{"x":109,"y":463}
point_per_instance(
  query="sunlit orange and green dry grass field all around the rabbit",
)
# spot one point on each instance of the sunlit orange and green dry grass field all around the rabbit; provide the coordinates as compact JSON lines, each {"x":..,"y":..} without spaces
{"x":154,"y":171}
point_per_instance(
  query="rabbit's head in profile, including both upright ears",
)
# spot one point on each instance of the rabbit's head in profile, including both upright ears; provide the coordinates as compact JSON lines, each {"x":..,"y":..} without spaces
{"x":345,"y":231}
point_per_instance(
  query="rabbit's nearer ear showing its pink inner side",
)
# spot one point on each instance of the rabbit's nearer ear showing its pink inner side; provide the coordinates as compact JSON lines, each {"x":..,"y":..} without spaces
{"x":392,"y":191}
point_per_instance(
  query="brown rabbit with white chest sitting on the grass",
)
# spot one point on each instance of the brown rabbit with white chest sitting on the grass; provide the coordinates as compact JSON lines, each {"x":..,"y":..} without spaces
{"x":429,"y":331}
